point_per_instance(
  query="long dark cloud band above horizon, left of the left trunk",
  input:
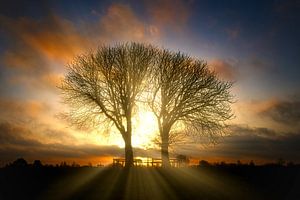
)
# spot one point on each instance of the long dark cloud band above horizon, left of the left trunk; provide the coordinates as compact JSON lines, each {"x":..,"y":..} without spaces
{"x":18,"y":138}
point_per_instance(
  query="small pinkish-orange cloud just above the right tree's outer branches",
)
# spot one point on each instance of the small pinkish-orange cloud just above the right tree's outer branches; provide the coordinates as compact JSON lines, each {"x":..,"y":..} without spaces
{"x":224,"y":69}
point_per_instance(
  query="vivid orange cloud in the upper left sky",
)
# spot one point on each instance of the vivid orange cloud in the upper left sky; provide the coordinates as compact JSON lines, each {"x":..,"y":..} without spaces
{"x":53,"y":37}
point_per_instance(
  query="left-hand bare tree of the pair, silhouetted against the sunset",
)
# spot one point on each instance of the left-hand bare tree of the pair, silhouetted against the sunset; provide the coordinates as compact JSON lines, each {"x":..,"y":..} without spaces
{"x":104,"y":86}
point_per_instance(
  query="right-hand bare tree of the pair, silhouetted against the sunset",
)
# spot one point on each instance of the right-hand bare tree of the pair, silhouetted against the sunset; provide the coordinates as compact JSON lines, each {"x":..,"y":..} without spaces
{"x":184,"y":91}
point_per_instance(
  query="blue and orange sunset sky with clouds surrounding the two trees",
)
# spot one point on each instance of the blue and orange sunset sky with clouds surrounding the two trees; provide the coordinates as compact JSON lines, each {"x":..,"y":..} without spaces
{"x":255,"y":44}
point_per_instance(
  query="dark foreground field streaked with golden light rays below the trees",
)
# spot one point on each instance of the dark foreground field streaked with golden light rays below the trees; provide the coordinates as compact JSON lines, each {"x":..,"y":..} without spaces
{"x":272,"y":182}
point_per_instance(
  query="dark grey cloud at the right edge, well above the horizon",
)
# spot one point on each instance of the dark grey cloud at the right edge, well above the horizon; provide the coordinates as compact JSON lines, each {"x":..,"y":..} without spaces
{"x":284,"y":112}
